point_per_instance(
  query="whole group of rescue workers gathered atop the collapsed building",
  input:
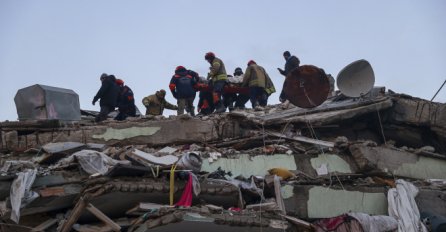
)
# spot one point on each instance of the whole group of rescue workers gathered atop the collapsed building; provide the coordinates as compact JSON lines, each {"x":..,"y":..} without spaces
{"x":217,"y":92}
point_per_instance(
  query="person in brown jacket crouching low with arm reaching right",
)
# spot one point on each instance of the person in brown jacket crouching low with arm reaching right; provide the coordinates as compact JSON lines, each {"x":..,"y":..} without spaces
{"x":156,"y":103}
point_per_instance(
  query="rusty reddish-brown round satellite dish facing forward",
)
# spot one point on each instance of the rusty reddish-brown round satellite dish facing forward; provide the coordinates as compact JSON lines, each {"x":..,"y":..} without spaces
{"x":307,"y":86}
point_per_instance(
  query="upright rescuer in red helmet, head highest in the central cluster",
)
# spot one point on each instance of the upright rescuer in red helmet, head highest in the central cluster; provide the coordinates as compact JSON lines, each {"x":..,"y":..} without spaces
{"x":218,"y":78}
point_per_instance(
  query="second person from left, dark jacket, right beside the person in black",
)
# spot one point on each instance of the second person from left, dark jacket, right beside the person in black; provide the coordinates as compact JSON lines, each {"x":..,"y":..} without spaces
{"x":126,"y":101}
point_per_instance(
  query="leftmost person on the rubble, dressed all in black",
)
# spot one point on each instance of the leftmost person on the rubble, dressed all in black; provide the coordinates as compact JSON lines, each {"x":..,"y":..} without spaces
{"x":108,"y":93}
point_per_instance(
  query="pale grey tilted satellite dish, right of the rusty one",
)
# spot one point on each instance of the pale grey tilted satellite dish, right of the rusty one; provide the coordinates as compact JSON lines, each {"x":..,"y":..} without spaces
{"x":356,"y":79}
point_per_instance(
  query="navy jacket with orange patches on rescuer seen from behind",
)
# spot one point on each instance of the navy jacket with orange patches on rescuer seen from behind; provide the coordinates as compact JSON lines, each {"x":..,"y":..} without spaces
{"x":182,"y":85}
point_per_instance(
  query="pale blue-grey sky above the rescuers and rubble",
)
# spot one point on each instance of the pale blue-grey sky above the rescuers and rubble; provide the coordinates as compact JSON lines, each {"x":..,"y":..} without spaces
{"x":68,"y":44}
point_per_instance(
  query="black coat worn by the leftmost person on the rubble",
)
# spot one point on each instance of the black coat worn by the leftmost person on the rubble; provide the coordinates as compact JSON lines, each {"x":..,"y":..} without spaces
{"x":108,"y":93}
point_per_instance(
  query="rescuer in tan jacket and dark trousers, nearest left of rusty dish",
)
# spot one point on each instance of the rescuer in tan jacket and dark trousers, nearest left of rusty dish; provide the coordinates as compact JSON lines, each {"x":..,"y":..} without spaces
{"x":255,"y":78}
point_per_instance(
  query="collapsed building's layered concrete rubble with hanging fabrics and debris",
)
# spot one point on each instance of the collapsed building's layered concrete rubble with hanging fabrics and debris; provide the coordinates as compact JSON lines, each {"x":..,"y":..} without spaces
{"x":372,"y":164}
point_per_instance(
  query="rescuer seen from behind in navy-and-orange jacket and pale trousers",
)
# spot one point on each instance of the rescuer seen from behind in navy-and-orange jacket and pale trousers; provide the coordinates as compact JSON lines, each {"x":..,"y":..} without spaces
{"x":182,"y":85}
